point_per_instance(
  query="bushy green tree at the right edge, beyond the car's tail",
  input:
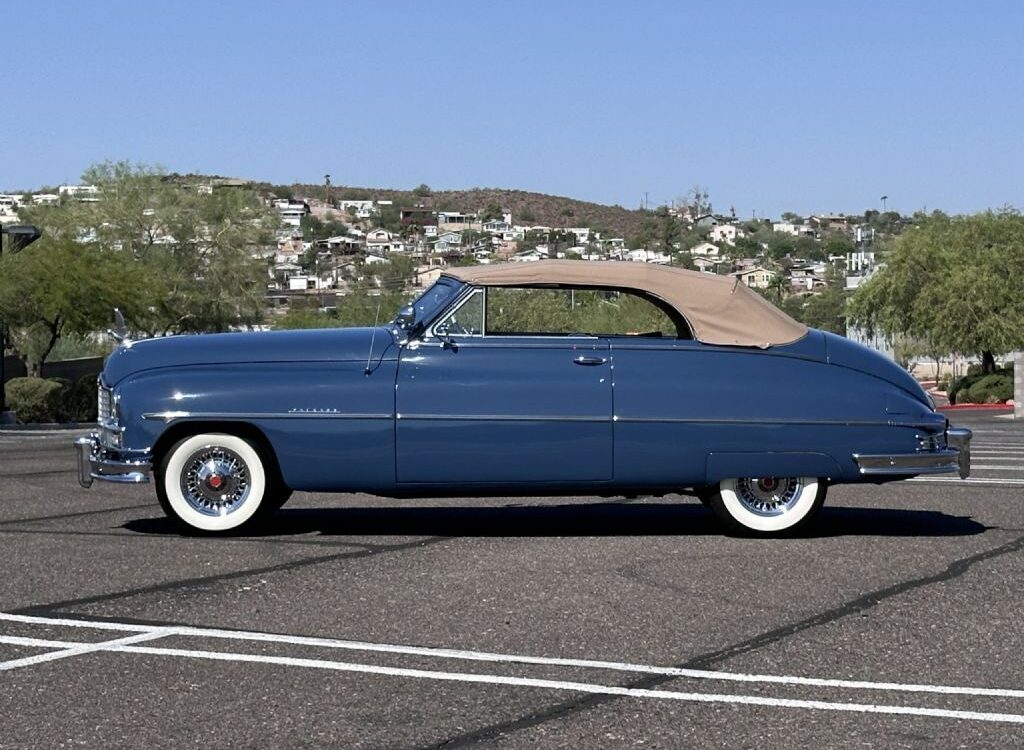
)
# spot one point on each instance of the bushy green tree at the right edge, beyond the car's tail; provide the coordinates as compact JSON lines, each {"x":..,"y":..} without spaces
{"x":955,"y":283}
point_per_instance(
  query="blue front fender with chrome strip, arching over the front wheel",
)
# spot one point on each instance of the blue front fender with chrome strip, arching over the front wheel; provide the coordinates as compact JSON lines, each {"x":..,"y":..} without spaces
{"x":330,"y":426}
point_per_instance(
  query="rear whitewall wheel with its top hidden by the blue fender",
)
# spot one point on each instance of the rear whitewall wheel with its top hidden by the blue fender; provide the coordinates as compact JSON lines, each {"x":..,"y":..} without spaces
{"x":767,"y":506}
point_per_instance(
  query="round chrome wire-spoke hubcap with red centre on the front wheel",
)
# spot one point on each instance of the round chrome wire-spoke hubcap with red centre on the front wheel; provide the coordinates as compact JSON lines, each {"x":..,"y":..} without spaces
{"x":216,"y":481}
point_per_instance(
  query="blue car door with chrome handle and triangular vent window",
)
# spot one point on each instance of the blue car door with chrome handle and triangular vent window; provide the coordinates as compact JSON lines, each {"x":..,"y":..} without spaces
{"x":502,"y":409}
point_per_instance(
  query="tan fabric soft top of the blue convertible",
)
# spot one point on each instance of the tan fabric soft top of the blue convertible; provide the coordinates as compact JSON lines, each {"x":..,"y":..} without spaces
{"x":720,"y":310}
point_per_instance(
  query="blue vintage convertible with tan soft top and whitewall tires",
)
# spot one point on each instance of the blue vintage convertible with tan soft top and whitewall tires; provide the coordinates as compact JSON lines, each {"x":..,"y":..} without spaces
{"x":553,"y":378}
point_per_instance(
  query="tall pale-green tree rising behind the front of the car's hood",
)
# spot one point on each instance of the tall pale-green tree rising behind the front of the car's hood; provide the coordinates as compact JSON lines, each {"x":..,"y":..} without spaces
{"x":197,"y":262}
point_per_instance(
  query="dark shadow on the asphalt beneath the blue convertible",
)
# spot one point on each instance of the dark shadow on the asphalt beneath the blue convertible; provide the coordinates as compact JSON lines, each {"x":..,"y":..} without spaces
{"x":578,"y":520}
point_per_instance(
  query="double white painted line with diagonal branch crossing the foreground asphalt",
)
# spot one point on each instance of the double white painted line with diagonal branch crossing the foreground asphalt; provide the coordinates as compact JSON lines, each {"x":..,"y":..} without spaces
{"x":144,"y":633}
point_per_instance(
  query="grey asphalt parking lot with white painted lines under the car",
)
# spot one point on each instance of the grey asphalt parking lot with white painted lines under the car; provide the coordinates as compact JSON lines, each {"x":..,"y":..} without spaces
{"x":356,"y":622}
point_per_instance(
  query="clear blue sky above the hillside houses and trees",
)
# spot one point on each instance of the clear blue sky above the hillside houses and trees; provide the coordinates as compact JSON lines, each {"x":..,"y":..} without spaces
{"x":774,"y":107}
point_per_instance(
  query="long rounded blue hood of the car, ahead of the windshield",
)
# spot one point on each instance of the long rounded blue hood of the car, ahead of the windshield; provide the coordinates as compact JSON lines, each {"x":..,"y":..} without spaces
{"x":335,"y":345}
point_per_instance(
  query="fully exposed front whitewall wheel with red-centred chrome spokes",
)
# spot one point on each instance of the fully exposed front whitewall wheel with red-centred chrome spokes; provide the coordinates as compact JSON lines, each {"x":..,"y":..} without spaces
{"x":212,"y":482}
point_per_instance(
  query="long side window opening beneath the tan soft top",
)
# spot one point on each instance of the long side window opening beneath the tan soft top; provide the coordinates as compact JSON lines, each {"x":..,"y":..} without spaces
{"x":561,"y":312}
